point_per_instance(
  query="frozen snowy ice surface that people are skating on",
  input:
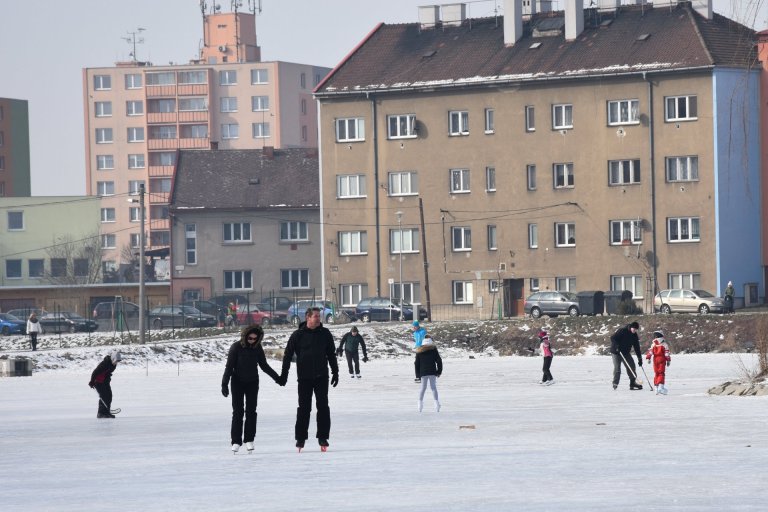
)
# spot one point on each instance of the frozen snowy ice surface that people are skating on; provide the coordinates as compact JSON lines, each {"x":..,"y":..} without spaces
{"x":500,"y":443}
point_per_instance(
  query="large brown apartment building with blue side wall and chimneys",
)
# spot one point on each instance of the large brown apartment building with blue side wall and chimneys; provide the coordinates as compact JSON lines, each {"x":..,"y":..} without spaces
{"x":466,"y":163}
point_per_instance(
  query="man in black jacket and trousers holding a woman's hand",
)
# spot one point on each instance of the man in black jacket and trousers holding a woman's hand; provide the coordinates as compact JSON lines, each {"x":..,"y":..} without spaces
{"x":314,"y":348}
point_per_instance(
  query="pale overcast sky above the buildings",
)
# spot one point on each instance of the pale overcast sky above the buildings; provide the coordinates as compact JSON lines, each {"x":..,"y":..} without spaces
{"x":45,"y":45}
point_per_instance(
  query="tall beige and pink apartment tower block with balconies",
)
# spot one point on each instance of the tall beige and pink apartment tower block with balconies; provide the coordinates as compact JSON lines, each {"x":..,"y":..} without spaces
{"x":138,"y":116}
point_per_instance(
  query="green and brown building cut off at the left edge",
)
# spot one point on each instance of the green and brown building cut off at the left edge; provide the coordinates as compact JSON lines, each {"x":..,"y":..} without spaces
{"x":15,"y":180}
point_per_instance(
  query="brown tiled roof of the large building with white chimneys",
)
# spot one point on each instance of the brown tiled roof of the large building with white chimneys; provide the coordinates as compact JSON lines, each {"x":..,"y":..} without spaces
{"x":404,"y":56}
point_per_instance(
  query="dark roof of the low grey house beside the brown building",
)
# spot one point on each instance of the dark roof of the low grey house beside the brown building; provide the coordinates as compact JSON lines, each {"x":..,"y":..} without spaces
{"x":247,"y":179}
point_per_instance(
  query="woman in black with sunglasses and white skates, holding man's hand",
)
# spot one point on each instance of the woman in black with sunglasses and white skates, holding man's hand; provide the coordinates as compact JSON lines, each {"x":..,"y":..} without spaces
{"x":243,"y":362}
